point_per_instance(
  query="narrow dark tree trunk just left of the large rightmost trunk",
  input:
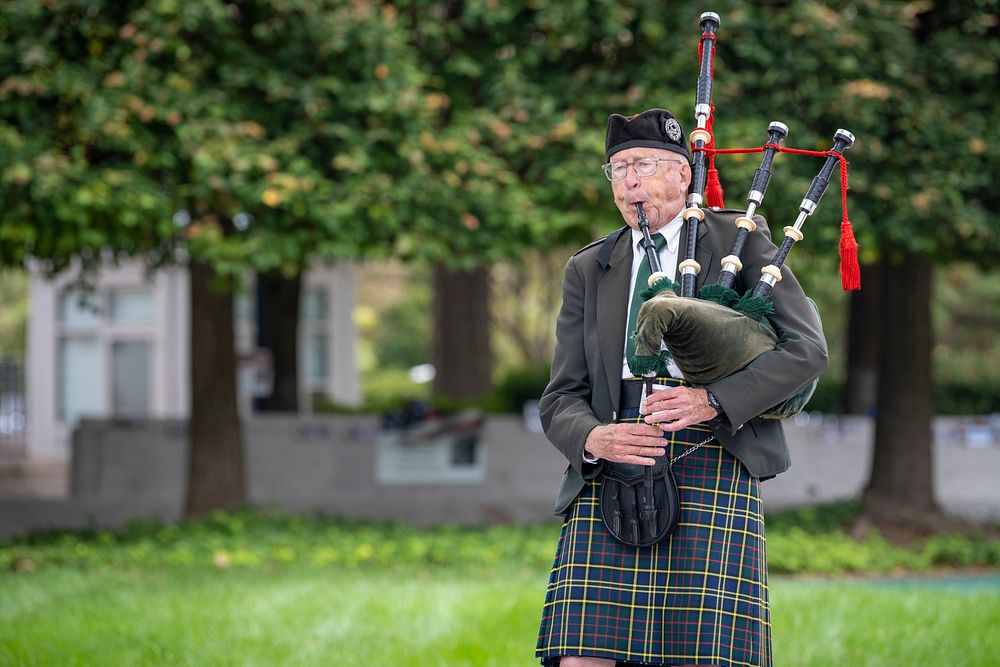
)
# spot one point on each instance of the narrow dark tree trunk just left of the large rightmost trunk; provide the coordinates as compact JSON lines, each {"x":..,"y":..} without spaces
{"x":861,"y":384}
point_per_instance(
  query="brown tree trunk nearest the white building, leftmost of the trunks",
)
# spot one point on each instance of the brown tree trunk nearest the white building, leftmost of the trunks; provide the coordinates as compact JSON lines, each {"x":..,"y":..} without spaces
{"x":216,"y":478}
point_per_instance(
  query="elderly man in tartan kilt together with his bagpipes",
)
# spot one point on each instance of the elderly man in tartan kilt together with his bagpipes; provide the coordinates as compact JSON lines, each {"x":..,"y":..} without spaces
{"x":681,"y":342}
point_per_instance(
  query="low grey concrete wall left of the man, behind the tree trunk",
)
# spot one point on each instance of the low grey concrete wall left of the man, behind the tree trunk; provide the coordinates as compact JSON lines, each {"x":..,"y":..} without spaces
{"x":320,"y":464}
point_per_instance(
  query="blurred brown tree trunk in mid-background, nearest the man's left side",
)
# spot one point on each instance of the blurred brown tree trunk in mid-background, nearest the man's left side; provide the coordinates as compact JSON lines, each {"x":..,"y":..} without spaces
{"x":462,"y":355}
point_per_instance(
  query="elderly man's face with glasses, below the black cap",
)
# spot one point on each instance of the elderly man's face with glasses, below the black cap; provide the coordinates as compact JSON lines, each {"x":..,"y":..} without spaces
{"x":662,"y":195}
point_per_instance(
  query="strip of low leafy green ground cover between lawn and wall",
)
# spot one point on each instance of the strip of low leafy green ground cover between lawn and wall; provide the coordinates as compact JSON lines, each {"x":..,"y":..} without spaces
{"x":810,"y":540}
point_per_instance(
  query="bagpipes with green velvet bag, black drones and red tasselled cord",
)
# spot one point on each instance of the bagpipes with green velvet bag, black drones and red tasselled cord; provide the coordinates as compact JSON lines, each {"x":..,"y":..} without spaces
{"x":718,"y":332}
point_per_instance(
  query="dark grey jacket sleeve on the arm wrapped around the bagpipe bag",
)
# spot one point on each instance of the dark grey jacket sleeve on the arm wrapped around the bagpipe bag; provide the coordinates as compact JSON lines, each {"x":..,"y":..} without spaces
{"x":800,"y":354}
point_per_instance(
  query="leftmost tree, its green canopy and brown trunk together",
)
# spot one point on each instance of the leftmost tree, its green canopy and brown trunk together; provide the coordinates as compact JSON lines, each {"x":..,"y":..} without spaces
{"x":226,"y":137}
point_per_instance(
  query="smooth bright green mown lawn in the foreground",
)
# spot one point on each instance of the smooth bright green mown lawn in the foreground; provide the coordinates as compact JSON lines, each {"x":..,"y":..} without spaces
{"x":454,"y":615}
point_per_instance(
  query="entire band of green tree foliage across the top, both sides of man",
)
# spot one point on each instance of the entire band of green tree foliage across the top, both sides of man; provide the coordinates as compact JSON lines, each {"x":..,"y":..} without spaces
{"x":466,"y":131}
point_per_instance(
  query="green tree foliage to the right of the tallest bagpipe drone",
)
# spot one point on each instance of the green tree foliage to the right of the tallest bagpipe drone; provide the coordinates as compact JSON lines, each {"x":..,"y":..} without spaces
{"x":915,"y":82}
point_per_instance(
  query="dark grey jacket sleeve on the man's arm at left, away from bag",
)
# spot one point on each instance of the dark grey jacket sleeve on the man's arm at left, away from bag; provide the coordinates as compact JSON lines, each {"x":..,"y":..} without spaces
{"x":565,"y":411}
